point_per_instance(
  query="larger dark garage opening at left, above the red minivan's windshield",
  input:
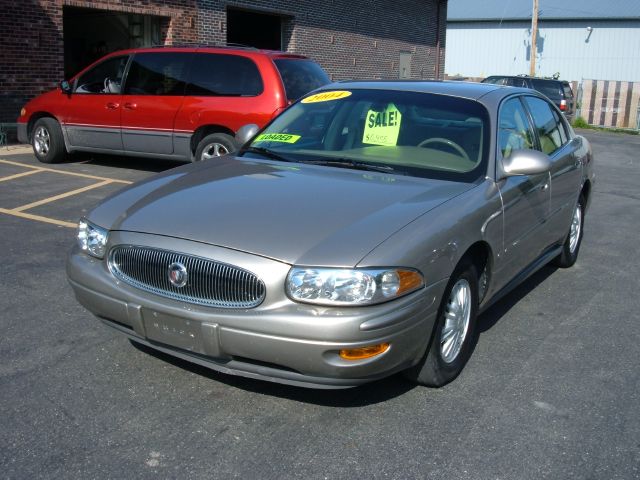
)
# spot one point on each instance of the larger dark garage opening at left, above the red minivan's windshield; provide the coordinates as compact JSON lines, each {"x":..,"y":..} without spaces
{"x":91,"y":33}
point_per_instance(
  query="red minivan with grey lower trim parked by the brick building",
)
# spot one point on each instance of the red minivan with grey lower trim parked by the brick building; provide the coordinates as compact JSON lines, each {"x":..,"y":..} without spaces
{"x":182,"y":103}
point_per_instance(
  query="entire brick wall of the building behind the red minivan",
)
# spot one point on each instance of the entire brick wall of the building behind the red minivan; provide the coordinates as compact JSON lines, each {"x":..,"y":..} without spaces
{"x":350,"y":39}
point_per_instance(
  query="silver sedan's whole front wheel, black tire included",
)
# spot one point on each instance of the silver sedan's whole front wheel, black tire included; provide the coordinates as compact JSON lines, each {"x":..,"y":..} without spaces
{"x":444,"y":360}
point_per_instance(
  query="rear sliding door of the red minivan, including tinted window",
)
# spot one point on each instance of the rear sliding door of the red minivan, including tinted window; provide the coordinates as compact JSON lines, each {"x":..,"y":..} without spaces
{"x":153,"y":94}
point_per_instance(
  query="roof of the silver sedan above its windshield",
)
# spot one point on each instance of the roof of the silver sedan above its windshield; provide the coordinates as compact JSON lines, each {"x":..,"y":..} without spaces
{"x":470,"y":90}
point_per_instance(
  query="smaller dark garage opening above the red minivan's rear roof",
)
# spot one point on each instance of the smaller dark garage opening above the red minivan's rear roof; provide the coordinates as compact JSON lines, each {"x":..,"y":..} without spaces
{"x":253,"y":29}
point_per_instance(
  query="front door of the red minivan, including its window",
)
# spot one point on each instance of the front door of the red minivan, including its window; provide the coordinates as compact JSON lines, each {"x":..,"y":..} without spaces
{"x":91,"y":116}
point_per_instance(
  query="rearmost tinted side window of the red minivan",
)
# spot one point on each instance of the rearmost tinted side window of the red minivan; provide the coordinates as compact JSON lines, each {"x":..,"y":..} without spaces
{"x":223,"y":75}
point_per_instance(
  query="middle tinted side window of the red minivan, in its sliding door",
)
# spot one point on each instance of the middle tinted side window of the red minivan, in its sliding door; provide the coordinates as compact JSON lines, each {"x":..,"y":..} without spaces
{"x":161,"y":73}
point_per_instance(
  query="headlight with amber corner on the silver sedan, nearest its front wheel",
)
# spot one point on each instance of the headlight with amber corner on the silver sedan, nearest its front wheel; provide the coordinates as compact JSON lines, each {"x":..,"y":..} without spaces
{"x":332,"y":286}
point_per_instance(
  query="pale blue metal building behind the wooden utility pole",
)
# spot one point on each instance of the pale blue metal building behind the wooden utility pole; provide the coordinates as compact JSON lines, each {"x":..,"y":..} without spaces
{"x":578,"y":39}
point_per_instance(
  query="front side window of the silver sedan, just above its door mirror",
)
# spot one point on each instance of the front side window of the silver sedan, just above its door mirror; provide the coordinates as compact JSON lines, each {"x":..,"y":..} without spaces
{"x":514,"y":128}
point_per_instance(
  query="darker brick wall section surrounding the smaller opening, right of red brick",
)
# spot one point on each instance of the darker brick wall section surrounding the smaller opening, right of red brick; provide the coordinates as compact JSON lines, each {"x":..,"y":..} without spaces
{"x":350,"y":39}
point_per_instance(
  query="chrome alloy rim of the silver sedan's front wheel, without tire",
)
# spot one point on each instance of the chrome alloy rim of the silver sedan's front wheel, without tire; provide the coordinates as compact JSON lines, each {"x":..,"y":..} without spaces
{"x":457,"y":316}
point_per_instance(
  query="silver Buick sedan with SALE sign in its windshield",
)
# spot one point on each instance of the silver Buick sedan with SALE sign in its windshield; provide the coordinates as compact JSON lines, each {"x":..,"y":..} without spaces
{"x":358,"y":235}
